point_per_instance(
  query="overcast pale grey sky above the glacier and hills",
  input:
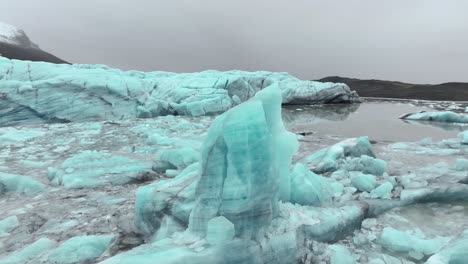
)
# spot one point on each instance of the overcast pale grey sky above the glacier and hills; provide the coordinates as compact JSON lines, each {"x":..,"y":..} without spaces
{"x":419,"y":41}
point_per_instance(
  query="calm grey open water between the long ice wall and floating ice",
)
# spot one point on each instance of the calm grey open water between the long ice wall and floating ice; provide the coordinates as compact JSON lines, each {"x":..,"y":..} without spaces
{"x":378,"y":120}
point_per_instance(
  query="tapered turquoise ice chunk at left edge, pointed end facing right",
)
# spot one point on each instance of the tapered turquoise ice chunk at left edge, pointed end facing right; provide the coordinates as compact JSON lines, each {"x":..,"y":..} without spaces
{"x":19,"y":184}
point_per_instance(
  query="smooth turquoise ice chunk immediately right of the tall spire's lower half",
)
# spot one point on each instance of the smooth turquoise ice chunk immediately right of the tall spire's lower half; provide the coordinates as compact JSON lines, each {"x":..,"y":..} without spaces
{"x":308,"y":188}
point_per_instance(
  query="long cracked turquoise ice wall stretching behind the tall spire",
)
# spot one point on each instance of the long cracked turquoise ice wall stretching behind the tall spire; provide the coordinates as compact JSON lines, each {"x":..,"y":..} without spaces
{"x":38,"y":92}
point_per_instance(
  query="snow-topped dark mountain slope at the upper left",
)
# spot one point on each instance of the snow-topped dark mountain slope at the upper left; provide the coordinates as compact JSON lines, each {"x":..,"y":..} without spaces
{"x":15,"y":44}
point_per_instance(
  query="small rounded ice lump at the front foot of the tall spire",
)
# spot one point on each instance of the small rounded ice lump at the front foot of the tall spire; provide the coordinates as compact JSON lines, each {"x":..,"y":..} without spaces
{"x":220,"y":230}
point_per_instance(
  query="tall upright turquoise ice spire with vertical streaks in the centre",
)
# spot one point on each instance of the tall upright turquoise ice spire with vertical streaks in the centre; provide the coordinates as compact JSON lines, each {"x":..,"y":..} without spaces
{"x":246,"y":153}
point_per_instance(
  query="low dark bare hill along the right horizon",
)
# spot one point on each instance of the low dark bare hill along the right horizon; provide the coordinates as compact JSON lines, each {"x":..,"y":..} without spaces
{"x":451,"y":91}
